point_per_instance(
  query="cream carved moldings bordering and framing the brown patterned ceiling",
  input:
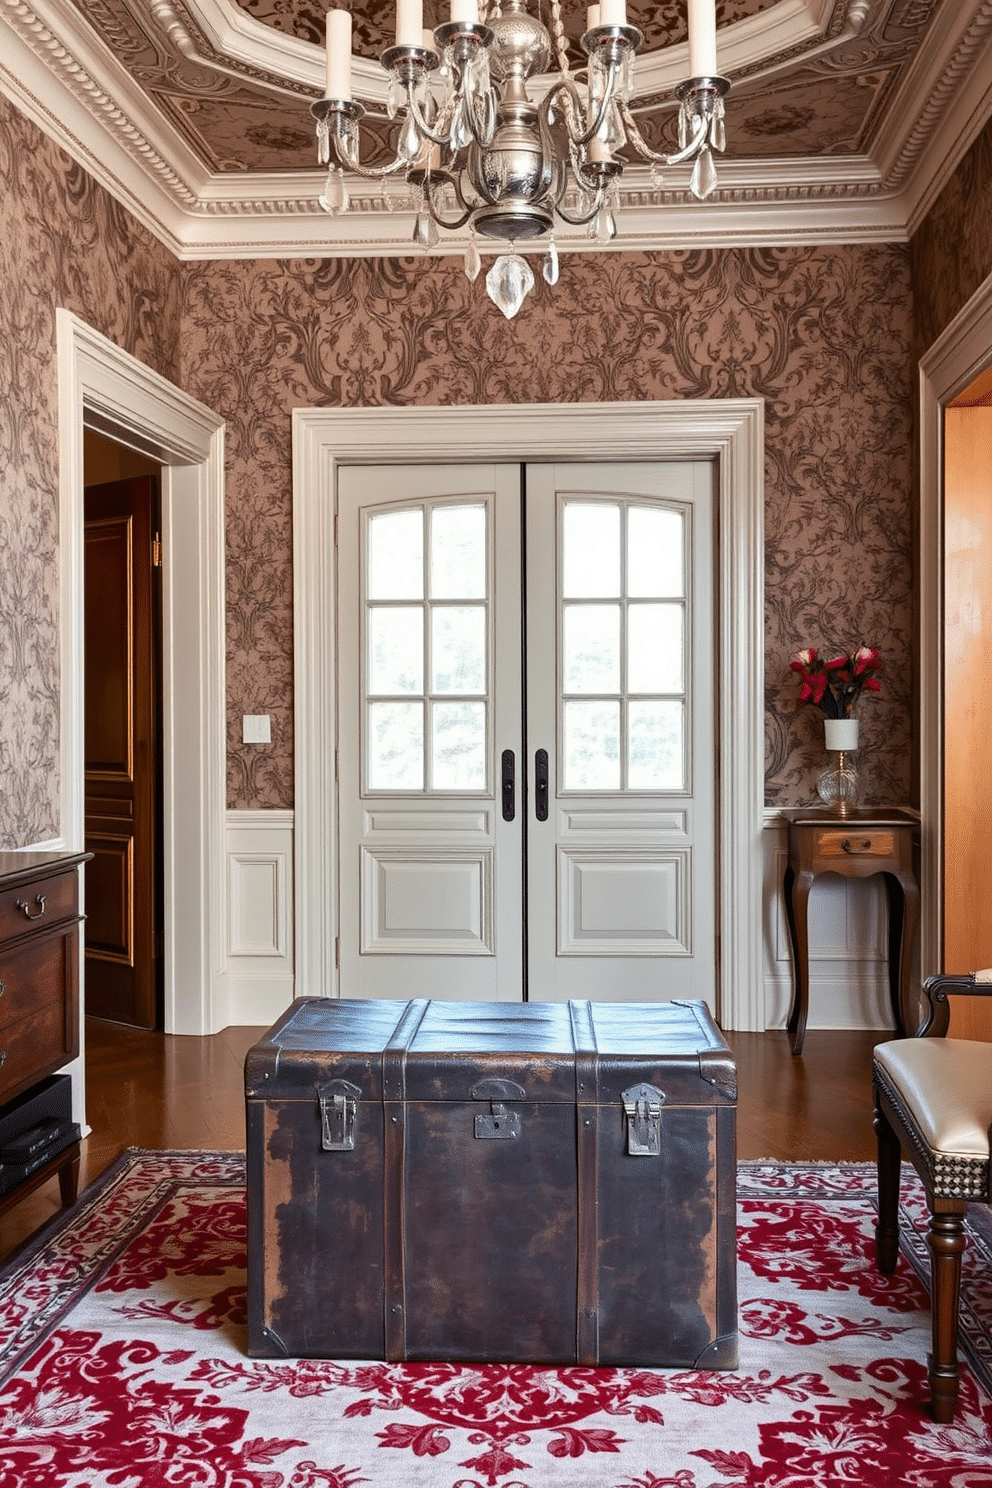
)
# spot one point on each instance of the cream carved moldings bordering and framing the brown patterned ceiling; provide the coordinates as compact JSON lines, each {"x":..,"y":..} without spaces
{"x":72,"y":84}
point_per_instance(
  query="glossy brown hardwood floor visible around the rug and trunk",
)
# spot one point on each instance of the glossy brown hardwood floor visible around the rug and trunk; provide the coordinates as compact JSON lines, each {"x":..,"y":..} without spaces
{"x":160,"y":1091}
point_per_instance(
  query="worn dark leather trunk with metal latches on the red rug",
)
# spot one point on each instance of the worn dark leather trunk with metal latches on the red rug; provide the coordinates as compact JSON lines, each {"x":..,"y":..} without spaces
{"x":493,"y":1182}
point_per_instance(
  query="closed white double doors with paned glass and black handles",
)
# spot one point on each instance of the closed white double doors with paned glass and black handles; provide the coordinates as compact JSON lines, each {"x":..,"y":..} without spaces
{"x":527,"y":763}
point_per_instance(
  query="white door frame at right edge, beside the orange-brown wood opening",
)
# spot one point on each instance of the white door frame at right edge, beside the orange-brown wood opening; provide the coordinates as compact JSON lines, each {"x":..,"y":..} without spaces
{"x":957,"y":358}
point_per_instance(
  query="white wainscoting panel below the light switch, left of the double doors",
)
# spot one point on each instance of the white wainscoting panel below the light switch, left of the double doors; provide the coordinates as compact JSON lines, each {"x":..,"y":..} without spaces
{"x":260,"y":974}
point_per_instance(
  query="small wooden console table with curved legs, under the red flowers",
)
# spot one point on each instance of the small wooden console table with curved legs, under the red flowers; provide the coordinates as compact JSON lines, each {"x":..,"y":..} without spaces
{"x":871,"y":840}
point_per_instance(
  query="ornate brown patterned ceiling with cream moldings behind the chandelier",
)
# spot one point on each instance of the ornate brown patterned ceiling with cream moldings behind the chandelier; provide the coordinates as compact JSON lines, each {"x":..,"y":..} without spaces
{"x":844,"y":121}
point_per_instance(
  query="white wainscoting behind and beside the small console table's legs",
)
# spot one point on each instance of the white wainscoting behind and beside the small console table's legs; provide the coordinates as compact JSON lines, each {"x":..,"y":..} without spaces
{"x":848,"y":946}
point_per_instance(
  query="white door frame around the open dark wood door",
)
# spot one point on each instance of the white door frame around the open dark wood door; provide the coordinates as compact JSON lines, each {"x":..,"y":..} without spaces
{"x":106,"y":389}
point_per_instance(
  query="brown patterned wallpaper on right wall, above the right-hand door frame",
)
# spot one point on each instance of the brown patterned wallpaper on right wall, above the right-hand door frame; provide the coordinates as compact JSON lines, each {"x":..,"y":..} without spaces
{"x":953,"y":251}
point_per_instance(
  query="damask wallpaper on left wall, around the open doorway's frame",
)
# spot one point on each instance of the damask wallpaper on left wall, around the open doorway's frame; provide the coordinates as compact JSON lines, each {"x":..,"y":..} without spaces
{"x":66,"y":243}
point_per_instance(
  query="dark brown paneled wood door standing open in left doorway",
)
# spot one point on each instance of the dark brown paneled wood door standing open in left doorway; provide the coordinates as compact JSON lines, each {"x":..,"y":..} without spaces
{"x":123,"y":752}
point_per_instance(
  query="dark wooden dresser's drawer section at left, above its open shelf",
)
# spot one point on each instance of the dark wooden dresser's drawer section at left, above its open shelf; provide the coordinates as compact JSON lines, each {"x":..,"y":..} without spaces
{"x":39,"y":966}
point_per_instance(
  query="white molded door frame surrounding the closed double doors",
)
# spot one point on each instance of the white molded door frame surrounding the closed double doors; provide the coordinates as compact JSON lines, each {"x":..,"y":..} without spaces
{"x":729,"y":432}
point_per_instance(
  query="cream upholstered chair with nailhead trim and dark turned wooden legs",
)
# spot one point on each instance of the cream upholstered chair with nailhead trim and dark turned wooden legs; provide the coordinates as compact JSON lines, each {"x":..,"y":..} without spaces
{"x":933,"y":1100}
